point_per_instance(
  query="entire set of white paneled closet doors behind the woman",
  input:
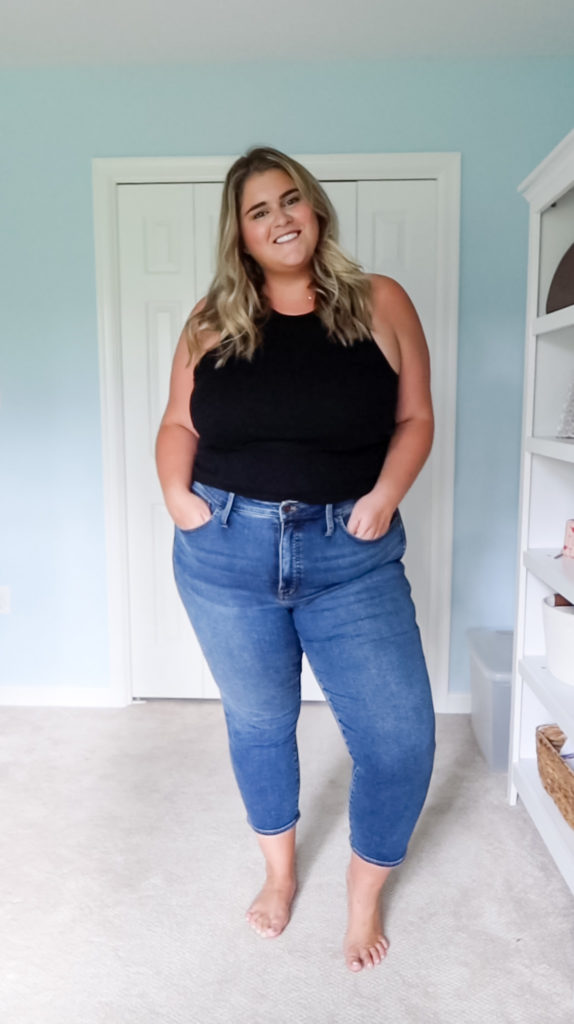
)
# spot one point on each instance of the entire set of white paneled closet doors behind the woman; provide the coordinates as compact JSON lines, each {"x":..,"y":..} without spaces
{"x":167,"y":245}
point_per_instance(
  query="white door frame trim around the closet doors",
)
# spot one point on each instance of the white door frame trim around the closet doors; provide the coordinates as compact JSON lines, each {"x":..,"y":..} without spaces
{"x":108,"y":175}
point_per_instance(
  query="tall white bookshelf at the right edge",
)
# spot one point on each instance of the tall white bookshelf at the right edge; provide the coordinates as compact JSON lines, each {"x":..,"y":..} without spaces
{"x":547,"y":498}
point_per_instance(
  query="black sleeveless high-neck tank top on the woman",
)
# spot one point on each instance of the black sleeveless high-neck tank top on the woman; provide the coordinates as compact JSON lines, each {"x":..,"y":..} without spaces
{"x":307,"y":419}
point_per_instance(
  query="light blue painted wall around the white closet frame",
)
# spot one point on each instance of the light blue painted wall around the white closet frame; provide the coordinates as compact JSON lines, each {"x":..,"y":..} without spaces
{"x":504,"y":116}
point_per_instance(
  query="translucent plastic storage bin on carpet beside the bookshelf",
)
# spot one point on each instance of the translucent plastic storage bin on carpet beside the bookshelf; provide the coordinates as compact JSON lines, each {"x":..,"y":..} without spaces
{"x":492,"y":666}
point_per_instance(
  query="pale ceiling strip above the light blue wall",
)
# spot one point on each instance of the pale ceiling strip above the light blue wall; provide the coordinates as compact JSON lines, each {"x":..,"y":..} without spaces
{"x":75,"y":33}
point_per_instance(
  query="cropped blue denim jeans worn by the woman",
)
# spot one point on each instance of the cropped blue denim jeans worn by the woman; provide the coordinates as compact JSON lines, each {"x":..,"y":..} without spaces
{"x":262,"y":582}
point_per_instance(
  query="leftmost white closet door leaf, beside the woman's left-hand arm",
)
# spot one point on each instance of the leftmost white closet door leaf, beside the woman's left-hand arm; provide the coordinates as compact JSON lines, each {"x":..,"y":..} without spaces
{"x":157,"y":281}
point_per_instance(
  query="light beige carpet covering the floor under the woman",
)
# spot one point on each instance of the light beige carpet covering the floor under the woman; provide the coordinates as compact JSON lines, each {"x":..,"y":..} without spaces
{"x":126,"y":869}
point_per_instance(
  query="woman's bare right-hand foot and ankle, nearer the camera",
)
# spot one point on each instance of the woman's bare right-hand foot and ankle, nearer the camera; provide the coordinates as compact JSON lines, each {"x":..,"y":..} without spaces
{"x":366,"y":946}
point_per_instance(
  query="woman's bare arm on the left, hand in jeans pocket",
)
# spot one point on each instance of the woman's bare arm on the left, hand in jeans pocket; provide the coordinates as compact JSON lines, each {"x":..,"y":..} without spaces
{"x":176,"y":447}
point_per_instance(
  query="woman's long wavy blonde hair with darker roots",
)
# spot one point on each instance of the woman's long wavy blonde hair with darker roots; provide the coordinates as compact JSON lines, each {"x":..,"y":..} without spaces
{"x":236,"y":307}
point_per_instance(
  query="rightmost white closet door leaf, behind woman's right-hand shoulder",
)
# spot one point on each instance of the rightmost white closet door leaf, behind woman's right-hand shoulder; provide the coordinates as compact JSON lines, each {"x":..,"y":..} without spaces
{"x":398,"y":237}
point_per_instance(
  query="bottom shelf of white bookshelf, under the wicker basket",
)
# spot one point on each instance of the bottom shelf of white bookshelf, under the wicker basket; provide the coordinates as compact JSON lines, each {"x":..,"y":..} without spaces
{"x":558,"y":836}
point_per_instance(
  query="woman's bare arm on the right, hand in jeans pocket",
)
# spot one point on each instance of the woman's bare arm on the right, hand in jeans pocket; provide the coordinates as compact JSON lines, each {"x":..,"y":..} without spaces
{"x":413,"y":439}
